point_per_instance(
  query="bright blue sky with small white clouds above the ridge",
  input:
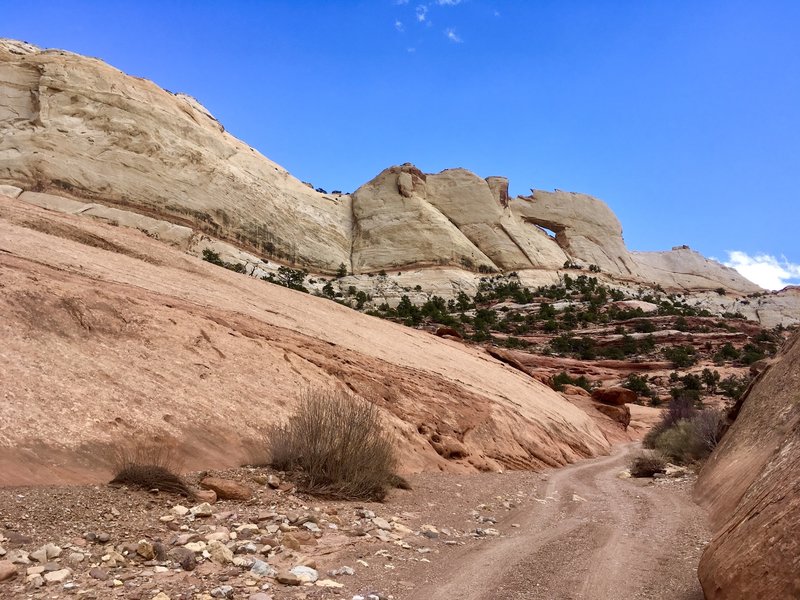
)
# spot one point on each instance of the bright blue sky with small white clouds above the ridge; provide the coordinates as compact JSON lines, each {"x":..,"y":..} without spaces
{"x":684,"y":116}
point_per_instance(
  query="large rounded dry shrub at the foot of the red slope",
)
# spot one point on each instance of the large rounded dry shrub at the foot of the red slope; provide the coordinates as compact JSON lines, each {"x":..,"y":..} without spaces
{"x":336,"y":446}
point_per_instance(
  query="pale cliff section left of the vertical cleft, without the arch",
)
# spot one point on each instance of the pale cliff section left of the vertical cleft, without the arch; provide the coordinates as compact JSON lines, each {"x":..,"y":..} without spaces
{"x":80,"y":128}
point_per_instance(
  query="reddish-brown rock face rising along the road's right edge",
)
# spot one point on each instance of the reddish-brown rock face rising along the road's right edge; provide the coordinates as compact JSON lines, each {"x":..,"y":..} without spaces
{"x":751,"y":485}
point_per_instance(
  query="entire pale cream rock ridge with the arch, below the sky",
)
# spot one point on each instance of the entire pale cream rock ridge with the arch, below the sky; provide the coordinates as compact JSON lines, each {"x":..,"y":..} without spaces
{"x":74,"y":127}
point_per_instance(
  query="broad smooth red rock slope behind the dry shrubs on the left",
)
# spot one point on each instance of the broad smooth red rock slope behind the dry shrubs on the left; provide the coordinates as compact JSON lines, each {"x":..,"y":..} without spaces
{"x":109,"y":336}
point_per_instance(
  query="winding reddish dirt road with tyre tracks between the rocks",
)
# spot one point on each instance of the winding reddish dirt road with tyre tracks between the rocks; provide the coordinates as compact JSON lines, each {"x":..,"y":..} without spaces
{"x":590,"y":536}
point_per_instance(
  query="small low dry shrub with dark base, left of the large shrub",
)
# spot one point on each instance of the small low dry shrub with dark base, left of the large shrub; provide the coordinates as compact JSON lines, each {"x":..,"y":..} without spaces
{"x":149,"y":467}
